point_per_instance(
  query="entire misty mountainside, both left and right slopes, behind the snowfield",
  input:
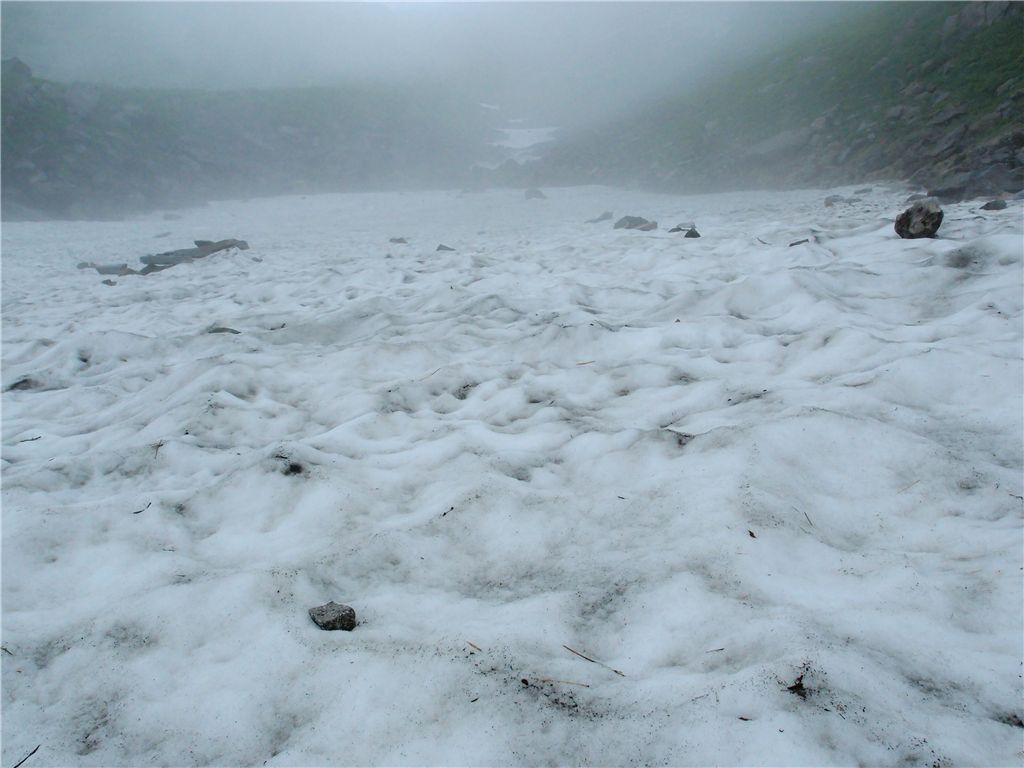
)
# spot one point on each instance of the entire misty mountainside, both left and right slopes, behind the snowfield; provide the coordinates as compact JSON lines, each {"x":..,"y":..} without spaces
{"x":930,"y":93}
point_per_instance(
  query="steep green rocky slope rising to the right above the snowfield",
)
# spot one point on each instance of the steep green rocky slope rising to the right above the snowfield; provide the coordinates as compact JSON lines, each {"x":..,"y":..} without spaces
{"x":930,"y":93}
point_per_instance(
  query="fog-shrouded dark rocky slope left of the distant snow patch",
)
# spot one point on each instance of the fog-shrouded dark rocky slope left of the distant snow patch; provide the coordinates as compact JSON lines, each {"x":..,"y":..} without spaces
{"x":88,"y":152}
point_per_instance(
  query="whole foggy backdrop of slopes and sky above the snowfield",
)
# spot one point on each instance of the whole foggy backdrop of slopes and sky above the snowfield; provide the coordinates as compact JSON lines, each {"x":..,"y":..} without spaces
{"x":110,"y":109}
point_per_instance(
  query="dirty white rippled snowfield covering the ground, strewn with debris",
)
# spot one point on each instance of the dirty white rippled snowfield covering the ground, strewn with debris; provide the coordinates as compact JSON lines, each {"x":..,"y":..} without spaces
{"x":713,"y":465}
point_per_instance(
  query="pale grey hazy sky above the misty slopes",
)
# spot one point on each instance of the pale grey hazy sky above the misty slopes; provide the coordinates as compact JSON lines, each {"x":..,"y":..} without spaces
{"x":547,"y":61}
